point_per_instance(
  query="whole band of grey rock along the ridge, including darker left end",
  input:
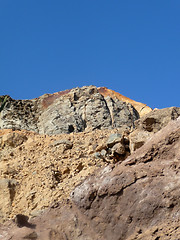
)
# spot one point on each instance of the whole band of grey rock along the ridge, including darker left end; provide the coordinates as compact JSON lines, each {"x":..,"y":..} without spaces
{"x":69,"y":111}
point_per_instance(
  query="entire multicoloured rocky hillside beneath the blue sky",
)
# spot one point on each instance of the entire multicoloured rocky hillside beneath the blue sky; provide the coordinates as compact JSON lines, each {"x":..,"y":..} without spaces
{"x":88,"y":163}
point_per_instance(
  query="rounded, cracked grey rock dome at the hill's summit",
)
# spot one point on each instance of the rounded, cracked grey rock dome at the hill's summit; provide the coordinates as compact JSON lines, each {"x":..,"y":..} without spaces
{"x":85,"y":109}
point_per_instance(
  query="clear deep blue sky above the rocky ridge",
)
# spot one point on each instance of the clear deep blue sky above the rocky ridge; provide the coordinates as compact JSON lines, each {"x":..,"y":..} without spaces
{"x":132,"y":47}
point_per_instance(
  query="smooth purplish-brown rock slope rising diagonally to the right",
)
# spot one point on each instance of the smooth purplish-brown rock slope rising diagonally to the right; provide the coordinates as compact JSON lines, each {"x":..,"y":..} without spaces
{"x":135,"y":199}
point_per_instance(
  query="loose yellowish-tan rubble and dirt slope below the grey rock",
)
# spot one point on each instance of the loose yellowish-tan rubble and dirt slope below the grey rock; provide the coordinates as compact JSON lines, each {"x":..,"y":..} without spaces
{"x":44,"y":169}
